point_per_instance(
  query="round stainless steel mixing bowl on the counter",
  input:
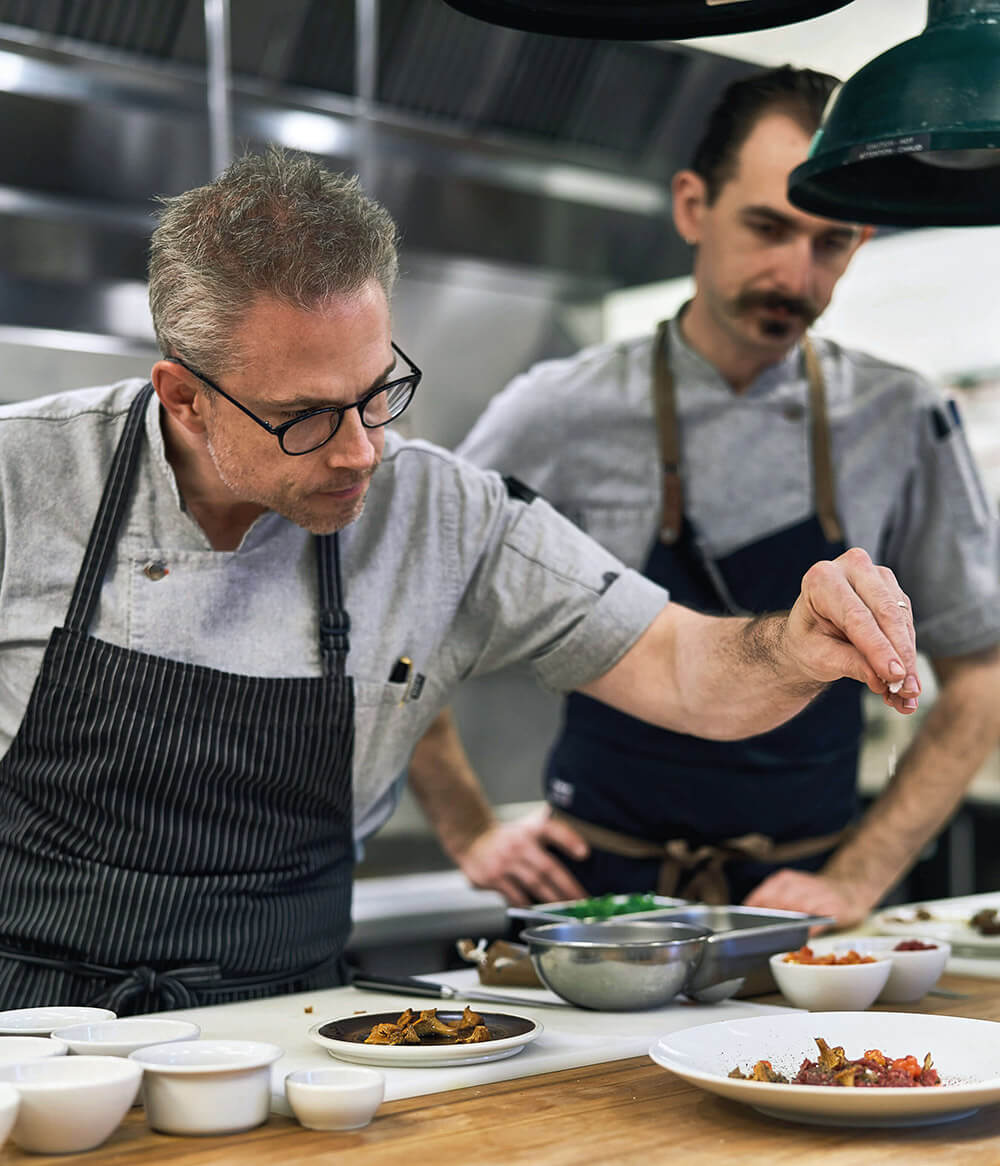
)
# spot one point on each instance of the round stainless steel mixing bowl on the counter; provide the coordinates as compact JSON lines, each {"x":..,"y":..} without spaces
{"x":616,"y":967}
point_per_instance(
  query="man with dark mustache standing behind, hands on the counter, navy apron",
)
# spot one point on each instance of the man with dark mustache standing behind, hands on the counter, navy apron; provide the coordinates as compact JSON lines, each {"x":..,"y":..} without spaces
{"x":722,"y":458}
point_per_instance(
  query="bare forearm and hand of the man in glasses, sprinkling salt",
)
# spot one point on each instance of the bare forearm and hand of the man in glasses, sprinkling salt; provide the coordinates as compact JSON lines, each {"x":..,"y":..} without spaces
{"x":728,"y":678}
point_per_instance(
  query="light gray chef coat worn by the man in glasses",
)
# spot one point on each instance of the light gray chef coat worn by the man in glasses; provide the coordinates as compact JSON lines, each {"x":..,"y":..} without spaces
{"x":443,"y":567}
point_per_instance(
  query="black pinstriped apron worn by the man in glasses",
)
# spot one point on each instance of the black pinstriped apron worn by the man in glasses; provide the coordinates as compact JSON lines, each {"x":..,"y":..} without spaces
{"x":171,"y":834}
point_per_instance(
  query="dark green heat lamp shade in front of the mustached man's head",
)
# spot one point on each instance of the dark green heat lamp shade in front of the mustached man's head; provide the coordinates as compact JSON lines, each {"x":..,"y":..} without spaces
{"x":913,"y":139}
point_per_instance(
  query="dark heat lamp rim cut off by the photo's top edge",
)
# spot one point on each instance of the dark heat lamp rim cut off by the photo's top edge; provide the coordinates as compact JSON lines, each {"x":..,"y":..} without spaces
{"x":643,"y":20}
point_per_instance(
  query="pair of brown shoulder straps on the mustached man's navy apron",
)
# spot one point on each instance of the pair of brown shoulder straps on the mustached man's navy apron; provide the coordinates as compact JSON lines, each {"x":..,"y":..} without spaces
{"x":665,"y":408}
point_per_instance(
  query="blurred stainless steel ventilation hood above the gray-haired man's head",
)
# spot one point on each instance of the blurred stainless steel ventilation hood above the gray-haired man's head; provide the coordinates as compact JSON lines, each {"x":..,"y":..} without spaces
{"x":529,"y":153}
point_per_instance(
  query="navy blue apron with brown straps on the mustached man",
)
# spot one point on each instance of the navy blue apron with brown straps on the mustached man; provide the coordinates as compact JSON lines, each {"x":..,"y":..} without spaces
{"x":671,"y":807}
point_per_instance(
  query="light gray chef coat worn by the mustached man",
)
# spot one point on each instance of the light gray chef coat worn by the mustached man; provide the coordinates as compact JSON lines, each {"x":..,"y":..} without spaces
{"x":582,"y":433}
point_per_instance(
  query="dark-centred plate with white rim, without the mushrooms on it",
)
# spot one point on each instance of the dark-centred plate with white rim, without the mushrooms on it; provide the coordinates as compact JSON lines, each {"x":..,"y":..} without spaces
{"x":344,"y":1039}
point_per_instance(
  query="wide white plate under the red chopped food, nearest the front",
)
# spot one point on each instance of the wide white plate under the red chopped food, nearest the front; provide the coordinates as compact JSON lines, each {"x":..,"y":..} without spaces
{"x":966,"y":1055}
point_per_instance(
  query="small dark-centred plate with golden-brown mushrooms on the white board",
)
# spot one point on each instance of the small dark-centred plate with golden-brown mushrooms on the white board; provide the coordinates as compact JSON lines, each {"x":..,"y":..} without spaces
{"x":426,"y":1037}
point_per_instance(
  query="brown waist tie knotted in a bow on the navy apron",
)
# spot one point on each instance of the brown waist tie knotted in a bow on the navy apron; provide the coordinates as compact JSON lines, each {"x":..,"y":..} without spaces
{"x":708,"y":882}
